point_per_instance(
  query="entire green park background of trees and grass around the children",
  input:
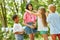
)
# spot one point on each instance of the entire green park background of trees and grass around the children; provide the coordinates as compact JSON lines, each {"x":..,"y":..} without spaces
{"x":10,"y":7}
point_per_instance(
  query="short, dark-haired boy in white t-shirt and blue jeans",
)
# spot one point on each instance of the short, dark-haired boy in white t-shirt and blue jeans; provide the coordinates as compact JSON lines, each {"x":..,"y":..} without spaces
{"x":17,"y":28}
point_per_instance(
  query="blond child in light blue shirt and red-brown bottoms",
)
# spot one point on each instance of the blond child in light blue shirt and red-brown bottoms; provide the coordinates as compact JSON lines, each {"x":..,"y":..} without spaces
{"x":54,"y":21}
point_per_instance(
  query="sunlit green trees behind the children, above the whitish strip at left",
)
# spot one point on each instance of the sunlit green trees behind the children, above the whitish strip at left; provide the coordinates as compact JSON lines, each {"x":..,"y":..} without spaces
{"x":11,"y":7}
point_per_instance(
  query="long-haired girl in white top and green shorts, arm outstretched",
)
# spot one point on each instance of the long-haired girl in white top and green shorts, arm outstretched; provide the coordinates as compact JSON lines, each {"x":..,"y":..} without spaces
{"x":42,"y":23}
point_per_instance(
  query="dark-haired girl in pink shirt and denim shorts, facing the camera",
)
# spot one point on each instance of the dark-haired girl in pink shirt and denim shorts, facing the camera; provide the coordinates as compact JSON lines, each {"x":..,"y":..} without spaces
{"x":30,"y":22}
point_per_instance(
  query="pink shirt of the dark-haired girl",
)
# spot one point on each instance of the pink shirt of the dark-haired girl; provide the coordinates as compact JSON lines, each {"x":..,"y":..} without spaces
{"x":28,"y":17}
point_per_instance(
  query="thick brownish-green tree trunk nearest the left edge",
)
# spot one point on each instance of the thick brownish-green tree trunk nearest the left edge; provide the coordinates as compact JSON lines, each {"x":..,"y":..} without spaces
{"x":3,"y":14}
